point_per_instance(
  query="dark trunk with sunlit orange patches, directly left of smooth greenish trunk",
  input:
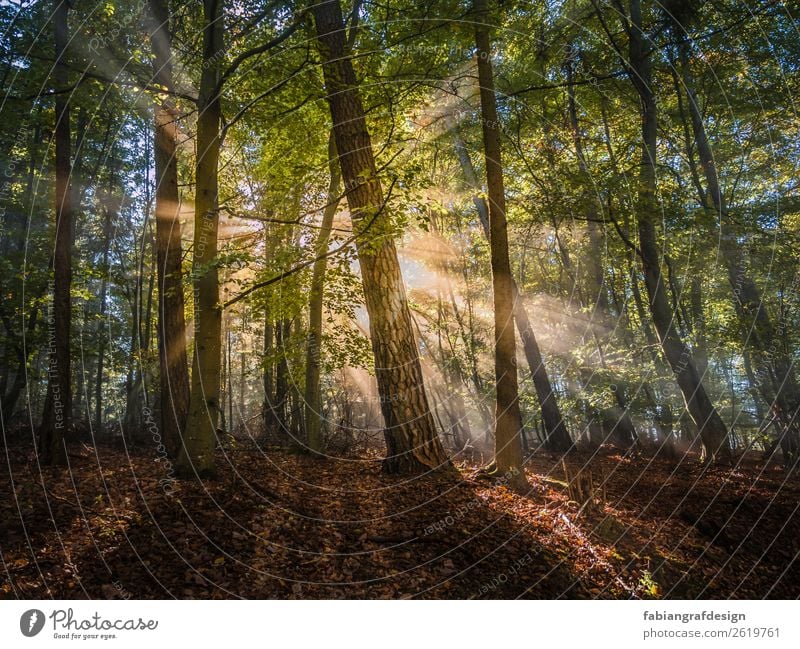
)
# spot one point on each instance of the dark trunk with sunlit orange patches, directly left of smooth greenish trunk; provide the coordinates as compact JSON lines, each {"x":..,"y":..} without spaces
{"x":173,"y":364}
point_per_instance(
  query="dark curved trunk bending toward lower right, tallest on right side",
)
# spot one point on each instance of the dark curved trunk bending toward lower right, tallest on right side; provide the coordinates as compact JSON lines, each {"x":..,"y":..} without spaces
{"x":713,"y":431}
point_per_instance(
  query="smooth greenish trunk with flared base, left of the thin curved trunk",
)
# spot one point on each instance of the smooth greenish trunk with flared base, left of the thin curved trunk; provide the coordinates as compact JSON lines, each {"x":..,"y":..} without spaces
{"x":197,"y":452}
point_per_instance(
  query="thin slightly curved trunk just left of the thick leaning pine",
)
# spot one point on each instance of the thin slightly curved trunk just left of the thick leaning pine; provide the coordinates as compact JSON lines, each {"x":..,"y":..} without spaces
{"x":313,"y":405}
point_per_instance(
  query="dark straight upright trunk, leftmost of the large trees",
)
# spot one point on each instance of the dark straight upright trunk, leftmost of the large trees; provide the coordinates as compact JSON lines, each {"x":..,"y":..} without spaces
{"x":58,"y":401}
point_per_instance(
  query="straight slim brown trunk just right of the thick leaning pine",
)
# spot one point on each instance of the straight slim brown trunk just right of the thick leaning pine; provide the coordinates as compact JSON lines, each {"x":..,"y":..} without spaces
{"x":508,"y":420}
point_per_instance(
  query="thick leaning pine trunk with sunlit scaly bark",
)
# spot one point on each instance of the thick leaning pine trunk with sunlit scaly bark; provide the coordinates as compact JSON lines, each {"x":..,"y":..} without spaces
{"x":410,"y":432}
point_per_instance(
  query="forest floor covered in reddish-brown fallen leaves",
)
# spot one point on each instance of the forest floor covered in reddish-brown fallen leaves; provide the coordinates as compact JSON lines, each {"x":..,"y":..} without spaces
{"x":281,"y":525}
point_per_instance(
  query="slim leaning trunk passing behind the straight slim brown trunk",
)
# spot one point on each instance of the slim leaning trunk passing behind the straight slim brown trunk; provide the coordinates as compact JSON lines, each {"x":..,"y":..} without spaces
{"x":557,"y":437}
